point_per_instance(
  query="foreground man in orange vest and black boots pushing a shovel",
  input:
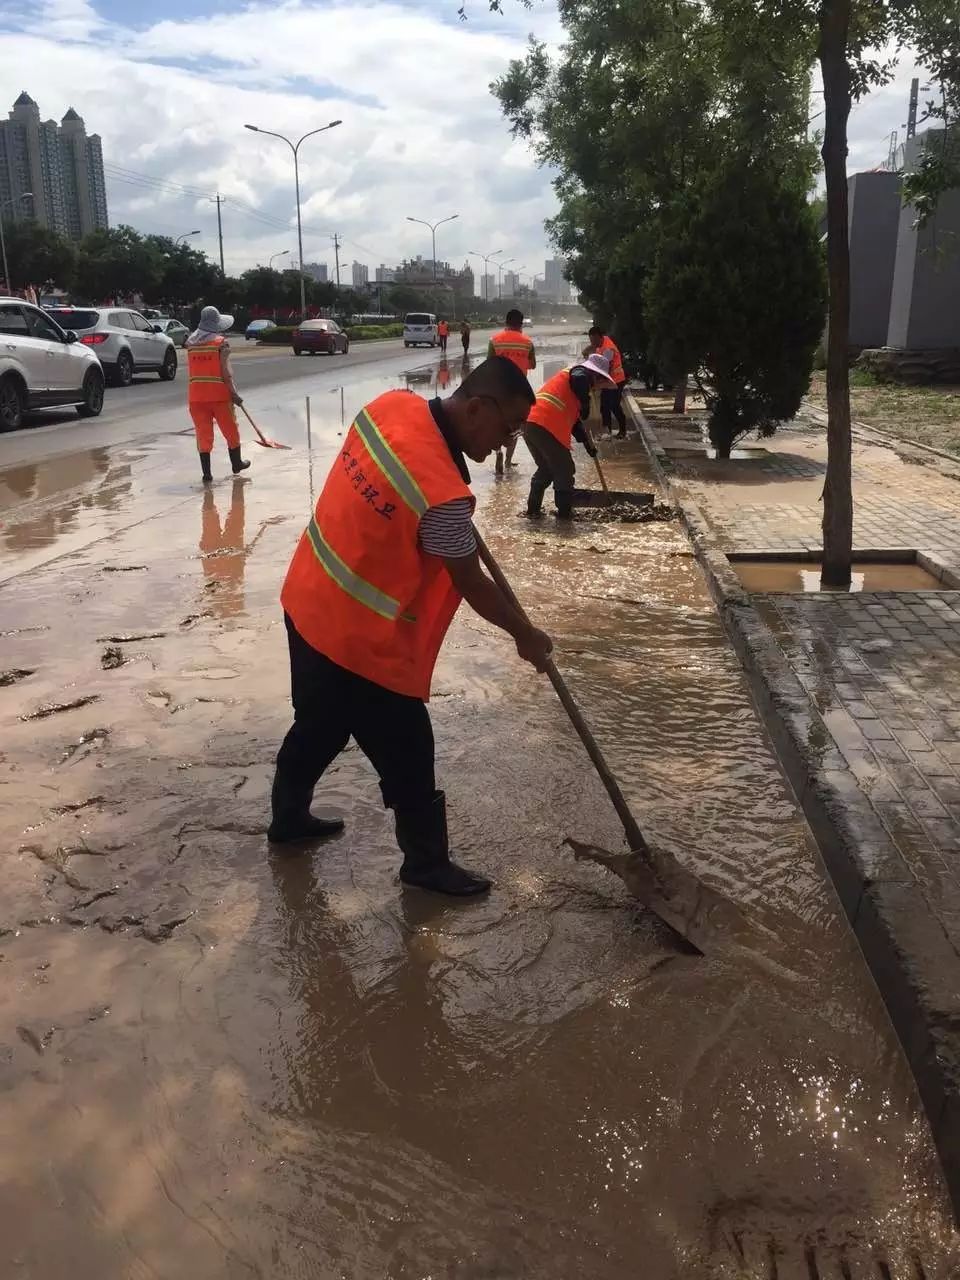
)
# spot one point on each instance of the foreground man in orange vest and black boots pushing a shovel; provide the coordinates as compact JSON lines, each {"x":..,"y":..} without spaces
{"x":369,"y":596}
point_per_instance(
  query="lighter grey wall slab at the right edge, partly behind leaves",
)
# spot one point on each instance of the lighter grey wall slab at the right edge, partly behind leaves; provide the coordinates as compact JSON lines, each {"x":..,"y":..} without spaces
{"x":924,"y":310}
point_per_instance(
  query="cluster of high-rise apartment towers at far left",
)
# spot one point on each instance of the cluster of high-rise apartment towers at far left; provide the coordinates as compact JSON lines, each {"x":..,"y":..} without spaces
{"x":52,"y":173}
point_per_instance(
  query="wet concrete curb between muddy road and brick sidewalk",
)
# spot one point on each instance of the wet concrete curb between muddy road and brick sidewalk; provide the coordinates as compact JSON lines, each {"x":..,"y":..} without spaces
{"x":909,"y":956}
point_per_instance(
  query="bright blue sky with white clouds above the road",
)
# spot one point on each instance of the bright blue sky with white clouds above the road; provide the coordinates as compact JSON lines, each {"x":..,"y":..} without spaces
{"x":170,"y":88}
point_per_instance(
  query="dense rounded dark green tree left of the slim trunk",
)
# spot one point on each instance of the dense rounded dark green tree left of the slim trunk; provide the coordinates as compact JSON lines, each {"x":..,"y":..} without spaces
{"x":742,"y":263}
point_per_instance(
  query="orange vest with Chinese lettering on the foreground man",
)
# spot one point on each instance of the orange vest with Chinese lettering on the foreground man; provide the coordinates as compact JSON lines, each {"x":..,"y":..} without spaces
{"x":359,"y":588}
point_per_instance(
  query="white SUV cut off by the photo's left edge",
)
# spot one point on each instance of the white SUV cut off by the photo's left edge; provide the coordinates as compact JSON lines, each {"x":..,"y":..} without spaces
{"x":44,"y":368}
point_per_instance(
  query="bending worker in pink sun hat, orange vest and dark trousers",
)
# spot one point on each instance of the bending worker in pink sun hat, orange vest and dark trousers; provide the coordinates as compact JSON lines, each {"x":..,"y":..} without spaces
{"x":552,"y":424}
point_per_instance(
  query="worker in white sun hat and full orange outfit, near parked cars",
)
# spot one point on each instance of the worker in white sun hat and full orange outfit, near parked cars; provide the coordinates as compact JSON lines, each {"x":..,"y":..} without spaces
{"x":212,"y":392}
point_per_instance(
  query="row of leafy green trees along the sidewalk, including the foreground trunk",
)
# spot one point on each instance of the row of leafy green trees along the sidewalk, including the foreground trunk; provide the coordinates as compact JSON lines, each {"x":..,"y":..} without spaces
{"x":679,"y":130}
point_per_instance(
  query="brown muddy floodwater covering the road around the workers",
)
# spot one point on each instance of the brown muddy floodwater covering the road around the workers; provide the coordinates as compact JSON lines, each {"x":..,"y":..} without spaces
{"x":221,"y":1064}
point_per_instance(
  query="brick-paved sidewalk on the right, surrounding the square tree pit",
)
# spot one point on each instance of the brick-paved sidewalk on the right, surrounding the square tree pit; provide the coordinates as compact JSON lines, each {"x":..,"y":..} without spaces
{"x":862,"y":696}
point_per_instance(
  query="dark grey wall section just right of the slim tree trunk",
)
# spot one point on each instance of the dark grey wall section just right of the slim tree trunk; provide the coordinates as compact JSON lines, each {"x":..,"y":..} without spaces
{"x":875,"y":221}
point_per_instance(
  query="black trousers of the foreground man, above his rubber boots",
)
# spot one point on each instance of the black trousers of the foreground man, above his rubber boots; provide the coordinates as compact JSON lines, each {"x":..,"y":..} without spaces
{"x":331,"y":706}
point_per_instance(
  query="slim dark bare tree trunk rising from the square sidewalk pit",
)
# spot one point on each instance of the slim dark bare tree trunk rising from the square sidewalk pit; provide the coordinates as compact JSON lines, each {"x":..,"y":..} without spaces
{"x":838,"y":492}
